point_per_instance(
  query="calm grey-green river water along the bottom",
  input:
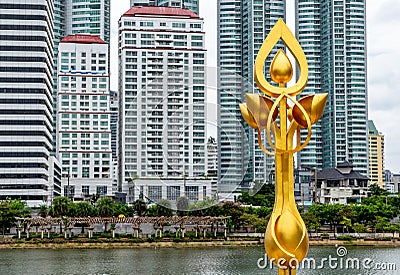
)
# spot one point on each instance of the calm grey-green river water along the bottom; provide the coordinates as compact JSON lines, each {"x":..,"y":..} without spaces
{"x":224,"y":260}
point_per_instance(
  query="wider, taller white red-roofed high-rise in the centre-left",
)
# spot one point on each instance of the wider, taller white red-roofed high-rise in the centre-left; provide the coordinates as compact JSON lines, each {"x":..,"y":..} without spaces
{"x":162,"y":129}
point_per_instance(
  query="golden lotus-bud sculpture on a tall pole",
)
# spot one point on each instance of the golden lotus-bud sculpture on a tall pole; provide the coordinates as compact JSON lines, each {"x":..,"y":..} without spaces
{"x":286,"y":238}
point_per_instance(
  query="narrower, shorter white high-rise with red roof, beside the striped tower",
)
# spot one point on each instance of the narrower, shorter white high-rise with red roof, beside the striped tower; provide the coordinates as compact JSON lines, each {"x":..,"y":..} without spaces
{"x":83,"y":117}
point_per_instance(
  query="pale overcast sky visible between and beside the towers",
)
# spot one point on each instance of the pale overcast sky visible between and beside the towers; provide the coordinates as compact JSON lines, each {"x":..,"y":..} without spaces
{"x":383,"y":26}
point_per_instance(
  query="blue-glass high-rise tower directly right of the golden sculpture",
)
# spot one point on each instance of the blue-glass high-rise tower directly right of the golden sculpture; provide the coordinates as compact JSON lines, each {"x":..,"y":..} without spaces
{"x":333,"y":36}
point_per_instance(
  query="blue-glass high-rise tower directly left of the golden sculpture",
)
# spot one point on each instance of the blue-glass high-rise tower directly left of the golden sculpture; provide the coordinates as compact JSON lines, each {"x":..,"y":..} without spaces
{"x":242,"y":27}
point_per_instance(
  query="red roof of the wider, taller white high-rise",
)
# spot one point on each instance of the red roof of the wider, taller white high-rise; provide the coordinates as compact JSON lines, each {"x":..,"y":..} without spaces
{"x":161,"y":11}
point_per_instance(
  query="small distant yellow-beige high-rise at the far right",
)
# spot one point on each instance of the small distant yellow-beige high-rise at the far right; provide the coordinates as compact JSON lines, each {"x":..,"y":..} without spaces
{"x":376,"y":155}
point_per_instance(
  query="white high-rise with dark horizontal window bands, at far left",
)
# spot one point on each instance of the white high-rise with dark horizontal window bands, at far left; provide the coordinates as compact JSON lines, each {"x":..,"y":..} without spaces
{"x":26,"y":68}
